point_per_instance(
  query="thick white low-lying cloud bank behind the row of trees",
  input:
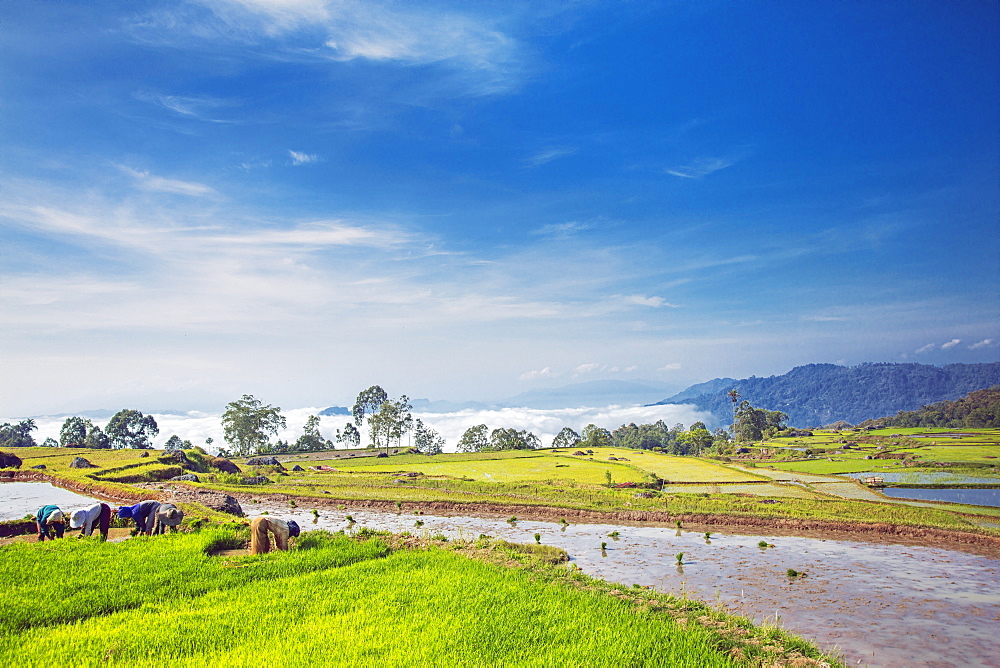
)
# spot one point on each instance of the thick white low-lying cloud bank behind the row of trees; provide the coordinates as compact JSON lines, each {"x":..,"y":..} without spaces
{"x":198,"y":427}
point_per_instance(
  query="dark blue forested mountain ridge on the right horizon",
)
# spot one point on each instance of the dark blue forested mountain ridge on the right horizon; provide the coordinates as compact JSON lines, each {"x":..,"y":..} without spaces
{"x":817,"y":394}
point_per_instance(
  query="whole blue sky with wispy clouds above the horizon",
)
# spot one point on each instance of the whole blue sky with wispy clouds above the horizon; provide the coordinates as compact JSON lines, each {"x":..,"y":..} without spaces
{"x":300,"y":198}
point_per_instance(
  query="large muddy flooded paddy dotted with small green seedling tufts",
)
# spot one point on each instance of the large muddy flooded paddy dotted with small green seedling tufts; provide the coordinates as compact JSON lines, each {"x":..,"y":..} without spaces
{"x":876,"y":604}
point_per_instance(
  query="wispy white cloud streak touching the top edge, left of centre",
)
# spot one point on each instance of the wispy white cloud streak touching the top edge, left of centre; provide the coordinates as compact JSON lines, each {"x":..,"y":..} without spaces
{"x":466,"y":41}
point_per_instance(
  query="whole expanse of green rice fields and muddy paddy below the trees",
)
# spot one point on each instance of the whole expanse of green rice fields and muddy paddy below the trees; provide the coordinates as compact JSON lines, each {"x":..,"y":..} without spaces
{"x":759,"y":558}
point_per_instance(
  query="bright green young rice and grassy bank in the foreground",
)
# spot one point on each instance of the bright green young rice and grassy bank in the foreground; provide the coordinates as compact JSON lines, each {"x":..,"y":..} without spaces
{"x":334,"y":599}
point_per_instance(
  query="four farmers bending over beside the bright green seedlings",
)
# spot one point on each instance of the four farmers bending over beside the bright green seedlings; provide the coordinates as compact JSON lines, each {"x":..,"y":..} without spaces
{"x":151,"y":518}
